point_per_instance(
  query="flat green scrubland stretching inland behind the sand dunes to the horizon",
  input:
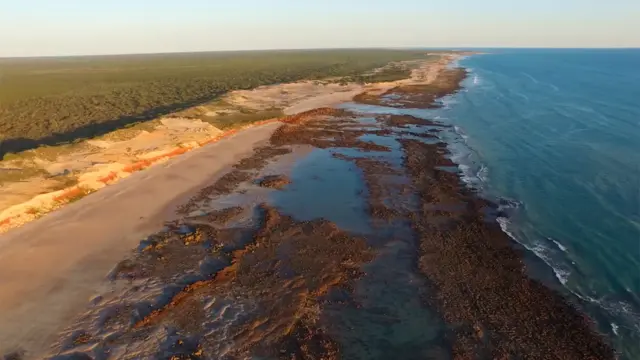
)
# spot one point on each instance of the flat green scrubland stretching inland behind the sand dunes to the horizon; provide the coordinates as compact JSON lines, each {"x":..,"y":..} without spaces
{"x":47,"y":101}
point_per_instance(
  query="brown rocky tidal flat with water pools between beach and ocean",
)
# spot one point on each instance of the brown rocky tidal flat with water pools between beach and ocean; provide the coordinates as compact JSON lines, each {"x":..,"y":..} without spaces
{"x":367,"y":246}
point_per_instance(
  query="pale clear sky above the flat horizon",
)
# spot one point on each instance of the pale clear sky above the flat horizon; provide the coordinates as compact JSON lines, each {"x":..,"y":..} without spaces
{"x":69,"y":27}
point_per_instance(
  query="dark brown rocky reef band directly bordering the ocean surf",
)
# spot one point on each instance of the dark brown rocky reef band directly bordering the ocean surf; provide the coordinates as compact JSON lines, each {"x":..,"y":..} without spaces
{"x":447,"y":252}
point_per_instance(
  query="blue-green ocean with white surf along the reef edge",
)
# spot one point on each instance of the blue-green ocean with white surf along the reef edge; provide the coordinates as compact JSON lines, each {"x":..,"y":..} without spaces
{"x":554,"y":136}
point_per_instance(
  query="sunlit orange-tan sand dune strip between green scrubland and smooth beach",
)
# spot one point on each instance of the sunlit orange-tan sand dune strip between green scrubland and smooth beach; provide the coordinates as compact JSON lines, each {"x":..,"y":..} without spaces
{"x":102,"y":170}
